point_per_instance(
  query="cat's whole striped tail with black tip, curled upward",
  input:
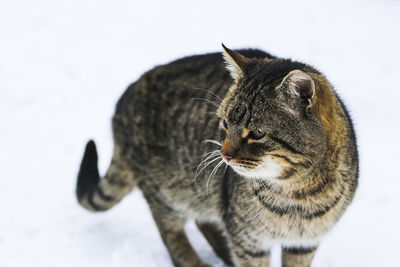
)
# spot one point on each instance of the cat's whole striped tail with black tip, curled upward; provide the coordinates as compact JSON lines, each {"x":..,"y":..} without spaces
{"x":100,"y":194}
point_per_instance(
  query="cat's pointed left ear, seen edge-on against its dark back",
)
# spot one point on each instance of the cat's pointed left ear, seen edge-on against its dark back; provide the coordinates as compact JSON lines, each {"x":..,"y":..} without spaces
{"x":235,"y":63}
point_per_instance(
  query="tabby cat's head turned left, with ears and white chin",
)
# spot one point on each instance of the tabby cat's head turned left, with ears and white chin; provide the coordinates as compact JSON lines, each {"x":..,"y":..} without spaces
{"x":267,"y":124}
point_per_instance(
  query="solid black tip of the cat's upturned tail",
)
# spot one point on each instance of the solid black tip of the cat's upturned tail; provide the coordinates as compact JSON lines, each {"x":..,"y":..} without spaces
{"x":88,"y":176}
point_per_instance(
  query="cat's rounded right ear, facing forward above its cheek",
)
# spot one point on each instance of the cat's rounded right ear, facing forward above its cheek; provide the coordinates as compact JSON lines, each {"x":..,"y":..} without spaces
{"x":299,"y":87}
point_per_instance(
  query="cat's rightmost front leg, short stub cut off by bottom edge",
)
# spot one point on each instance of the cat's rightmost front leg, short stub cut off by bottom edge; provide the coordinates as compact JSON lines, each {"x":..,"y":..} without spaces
{"x":297,"y":257}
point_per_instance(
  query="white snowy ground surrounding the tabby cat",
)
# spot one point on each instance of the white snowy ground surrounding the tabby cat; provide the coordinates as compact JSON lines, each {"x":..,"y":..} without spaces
{"x":64,"y":64}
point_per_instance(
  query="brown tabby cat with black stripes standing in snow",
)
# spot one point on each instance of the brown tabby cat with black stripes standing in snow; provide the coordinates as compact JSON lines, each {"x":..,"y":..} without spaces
{"x":258,"y":150}
